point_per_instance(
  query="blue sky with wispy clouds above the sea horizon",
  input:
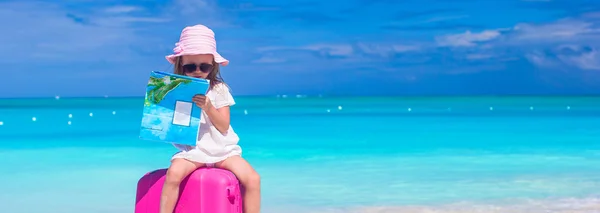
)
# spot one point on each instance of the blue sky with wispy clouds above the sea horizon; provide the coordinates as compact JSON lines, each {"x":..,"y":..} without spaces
{"x":351,"y":47}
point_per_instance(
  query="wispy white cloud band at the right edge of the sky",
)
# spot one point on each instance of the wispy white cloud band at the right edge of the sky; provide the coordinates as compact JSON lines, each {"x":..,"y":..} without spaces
{"x":566,"y":43}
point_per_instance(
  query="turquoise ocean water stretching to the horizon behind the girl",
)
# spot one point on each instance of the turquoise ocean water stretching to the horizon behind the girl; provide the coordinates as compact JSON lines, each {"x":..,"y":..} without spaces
{"x":321,"y":154}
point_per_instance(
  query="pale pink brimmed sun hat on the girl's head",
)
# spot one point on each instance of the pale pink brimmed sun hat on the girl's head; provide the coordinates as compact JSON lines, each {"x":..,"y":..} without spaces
{"x":197,"y":39}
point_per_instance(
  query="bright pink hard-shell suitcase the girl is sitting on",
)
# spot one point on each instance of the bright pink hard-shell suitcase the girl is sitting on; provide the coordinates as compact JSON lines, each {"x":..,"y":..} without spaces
{"x":206,"y":190}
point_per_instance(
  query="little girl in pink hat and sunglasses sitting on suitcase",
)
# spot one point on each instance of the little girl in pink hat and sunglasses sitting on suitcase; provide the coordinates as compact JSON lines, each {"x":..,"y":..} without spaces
{"x":195,"y":55}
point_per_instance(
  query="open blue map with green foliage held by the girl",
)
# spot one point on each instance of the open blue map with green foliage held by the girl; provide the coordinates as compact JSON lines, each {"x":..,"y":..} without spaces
{"x":169,"y":115}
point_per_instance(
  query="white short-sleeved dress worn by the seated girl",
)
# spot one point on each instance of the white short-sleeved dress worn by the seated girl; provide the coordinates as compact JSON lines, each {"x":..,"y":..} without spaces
{"x":212,"y":146}
